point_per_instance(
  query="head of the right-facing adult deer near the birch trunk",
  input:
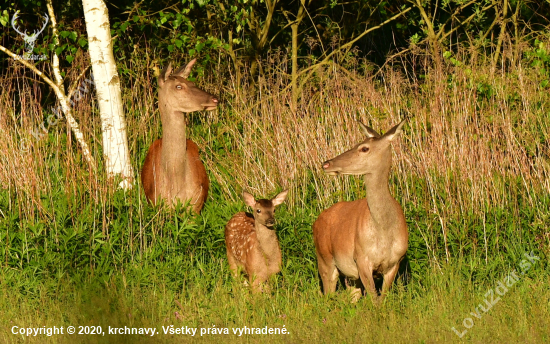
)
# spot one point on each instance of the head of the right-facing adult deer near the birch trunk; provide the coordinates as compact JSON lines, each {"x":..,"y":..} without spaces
{"x":181,"y":94}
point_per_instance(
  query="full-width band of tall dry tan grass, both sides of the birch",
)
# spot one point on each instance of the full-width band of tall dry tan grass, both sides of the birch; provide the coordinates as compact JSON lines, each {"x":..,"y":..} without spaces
{"x":470,"y":131}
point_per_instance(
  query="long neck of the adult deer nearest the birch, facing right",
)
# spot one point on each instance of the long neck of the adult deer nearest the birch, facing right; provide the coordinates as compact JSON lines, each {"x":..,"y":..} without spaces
{"x":174,"y":142}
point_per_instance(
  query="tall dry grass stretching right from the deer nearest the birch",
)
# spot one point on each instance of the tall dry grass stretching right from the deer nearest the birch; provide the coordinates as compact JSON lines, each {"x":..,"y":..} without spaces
{"x":469,"y":130}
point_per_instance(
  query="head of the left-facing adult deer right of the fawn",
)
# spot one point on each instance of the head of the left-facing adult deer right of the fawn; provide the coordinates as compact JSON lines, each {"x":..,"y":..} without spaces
{"x":371,"y":156}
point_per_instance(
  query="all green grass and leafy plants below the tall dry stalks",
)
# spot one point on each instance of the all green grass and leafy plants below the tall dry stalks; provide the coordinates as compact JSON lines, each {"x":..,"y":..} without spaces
{"x":68,"y":270}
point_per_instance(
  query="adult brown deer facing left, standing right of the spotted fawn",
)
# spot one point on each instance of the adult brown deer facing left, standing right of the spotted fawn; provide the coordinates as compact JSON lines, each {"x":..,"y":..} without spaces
{"x":365,"y":239}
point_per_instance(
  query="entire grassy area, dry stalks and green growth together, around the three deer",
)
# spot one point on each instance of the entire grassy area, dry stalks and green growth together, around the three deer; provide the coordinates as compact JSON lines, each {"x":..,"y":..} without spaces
{"x":471,"y":172}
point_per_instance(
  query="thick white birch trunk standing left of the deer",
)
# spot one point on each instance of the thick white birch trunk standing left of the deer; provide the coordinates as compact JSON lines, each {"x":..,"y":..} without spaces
{"x":107,"y":83}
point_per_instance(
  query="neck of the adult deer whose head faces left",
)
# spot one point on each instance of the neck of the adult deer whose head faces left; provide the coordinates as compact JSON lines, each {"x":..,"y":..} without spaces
{"x":382,"y":205}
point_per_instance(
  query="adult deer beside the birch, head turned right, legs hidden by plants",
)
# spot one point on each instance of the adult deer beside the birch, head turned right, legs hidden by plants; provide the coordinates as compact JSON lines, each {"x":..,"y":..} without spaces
{"x":172,"y":169}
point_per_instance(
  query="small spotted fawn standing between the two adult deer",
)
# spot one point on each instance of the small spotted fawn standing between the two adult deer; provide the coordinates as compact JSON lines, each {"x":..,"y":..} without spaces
{"x":251,"y":241}
